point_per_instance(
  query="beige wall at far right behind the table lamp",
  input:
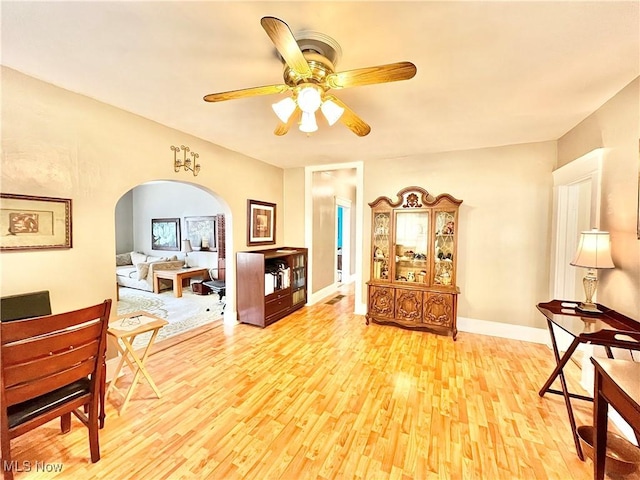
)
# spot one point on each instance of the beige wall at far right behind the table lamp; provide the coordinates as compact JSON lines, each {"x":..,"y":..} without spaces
{"x":617,"y":125}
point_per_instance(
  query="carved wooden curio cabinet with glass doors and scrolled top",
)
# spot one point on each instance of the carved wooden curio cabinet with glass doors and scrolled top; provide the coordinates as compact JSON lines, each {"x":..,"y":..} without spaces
{"x":413,"y":261}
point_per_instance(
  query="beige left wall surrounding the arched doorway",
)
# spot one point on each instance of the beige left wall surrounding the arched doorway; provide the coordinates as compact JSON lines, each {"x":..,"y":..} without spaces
{"x":60,"y":144}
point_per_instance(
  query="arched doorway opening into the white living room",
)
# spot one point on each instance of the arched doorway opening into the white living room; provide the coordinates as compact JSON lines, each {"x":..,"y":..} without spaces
{"x":190,"y":212}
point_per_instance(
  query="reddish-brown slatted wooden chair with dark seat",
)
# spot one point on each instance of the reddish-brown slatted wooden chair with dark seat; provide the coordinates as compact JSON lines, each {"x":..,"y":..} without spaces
{"x":52,"y":366}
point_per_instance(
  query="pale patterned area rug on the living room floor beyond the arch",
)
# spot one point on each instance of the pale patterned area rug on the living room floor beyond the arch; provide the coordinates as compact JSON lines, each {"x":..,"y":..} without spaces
{"x":183,"y":314}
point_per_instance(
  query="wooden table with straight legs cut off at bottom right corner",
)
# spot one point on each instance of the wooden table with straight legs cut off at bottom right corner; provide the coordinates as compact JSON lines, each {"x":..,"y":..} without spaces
{"x":617,"y":383}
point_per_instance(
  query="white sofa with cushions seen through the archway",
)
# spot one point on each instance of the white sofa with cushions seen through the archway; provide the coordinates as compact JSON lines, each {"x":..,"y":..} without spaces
{"x":135,"y":270}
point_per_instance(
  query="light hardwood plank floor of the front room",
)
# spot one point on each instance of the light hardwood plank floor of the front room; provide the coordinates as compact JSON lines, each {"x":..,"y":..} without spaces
{"x":321,"y":395}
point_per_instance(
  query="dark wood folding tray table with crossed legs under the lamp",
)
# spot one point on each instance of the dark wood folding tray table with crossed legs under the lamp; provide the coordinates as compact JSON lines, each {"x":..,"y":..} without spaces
{"x":608,"y":329}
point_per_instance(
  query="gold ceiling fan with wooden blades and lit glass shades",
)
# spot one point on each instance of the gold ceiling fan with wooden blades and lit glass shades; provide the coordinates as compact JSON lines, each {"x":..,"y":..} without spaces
{"x":309,"y":75}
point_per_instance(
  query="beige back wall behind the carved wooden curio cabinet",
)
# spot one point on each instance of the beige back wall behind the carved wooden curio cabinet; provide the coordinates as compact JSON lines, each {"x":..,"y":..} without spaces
{"x":504,"y":223}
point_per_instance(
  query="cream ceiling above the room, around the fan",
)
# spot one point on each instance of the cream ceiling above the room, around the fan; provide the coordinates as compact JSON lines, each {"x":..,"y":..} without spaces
{"x":489,"y":73}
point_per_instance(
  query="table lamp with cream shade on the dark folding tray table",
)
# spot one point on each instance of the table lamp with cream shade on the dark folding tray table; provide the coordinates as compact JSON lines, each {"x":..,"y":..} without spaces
{"x":594,"y":252}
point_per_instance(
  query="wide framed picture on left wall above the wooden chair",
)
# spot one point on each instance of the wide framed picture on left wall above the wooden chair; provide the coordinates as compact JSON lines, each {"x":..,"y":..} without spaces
{"x":34,"y":223}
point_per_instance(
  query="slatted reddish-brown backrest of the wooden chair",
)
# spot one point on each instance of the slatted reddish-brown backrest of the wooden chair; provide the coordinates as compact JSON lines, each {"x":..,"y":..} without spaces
{"x":39,"y":355}
